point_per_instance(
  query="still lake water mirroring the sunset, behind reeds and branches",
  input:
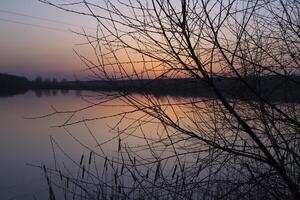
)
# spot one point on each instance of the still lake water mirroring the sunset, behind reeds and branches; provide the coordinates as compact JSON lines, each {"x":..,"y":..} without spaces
{"x":41,"y":141}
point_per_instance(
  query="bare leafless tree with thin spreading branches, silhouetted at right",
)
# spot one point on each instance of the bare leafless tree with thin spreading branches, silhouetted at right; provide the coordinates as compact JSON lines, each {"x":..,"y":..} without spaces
{"x":236,"y":148}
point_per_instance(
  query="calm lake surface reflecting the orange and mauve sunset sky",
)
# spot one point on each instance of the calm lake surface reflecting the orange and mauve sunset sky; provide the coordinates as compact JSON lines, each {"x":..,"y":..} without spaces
{"x":115,"y":133}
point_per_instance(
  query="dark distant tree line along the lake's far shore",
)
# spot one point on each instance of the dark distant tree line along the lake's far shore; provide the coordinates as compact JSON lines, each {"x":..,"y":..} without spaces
{"x":282,"y":90}
